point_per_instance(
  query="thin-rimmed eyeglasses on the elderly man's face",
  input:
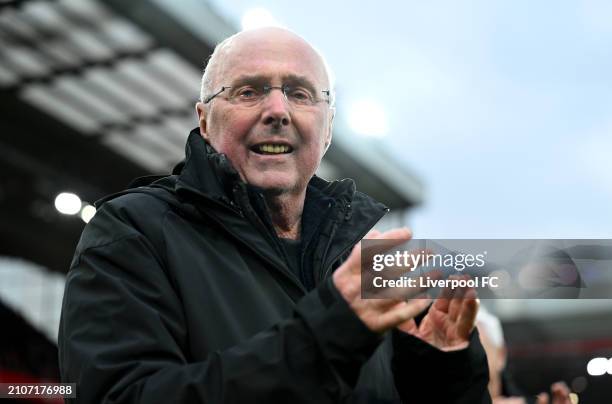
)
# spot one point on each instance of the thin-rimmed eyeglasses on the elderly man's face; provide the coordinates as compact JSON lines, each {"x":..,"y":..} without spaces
{"x":250,"y":96}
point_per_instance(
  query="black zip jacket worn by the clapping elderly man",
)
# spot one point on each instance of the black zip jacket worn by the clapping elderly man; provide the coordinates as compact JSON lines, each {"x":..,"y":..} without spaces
{"x":179,"y":291}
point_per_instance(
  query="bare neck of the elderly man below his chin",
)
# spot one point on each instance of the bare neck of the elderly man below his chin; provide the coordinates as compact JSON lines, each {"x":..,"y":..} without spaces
{"x":286,"y":214}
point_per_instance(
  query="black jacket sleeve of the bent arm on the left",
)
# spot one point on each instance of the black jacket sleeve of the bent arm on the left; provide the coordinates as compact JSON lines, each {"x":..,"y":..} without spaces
{"x":123,"y":331}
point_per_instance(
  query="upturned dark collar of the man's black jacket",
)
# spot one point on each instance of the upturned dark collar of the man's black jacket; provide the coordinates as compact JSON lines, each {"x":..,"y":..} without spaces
{"x":335,"y":216}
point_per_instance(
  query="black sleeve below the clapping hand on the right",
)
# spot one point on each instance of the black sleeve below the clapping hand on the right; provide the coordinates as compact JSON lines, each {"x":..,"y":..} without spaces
{"x":424,"y":374}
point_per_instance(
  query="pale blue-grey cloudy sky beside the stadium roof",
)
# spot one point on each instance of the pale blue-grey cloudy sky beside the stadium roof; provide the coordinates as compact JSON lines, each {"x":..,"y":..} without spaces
{"x":504,"y":108}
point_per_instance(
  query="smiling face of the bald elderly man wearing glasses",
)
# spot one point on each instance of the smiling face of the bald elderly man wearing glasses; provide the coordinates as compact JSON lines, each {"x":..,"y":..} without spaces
{"x":272,"y":58}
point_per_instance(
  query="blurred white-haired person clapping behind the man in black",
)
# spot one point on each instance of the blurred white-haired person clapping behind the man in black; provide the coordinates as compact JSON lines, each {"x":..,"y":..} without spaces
{"x":501,"y":386}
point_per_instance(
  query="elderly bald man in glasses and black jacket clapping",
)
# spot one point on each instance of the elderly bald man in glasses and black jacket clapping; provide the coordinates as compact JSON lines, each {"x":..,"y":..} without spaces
{"x":235,"y":280}
